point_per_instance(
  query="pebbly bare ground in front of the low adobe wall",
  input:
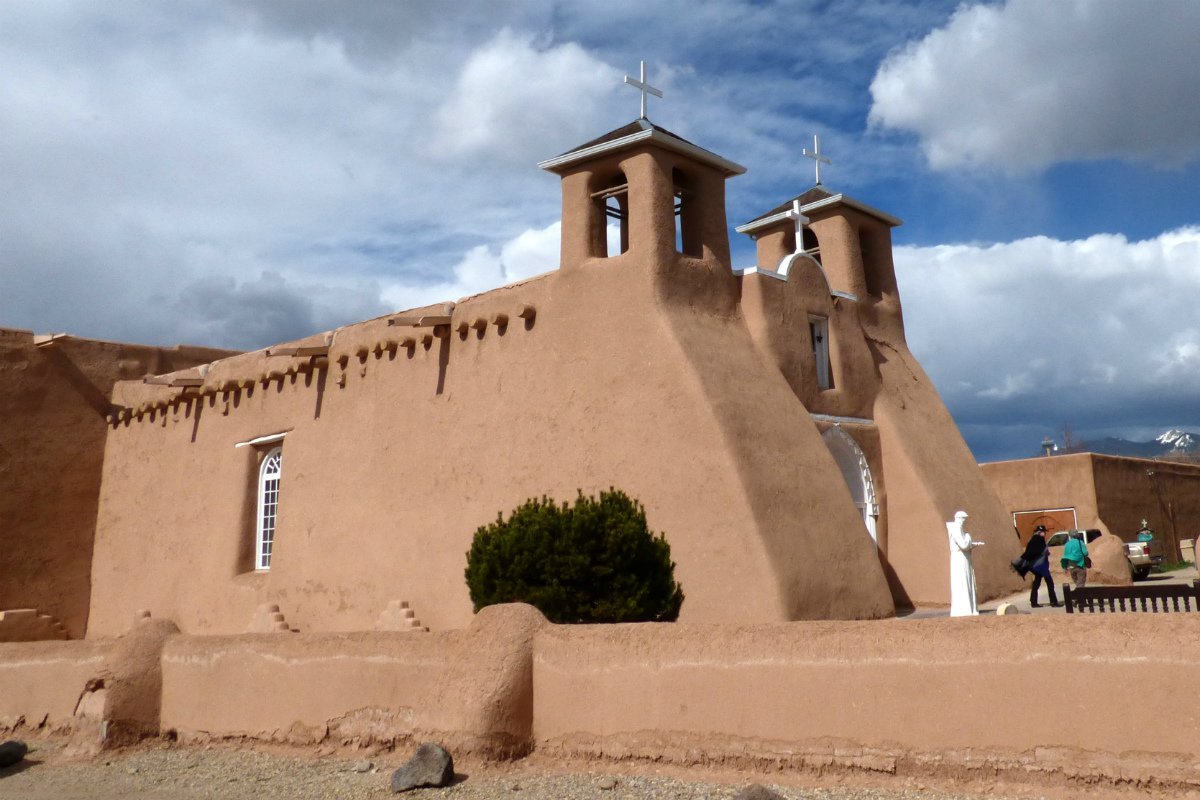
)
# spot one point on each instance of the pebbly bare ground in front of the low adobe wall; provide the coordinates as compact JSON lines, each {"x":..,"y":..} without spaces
{"x":177,"y":773}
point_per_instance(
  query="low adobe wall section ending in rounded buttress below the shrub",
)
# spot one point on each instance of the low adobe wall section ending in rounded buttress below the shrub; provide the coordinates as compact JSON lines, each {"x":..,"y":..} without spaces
{"x":472,"y":689}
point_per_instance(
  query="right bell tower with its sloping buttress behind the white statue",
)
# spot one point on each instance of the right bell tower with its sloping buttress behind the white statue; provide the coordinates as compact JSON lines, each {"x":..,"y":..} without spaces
{"x":928,"y":468}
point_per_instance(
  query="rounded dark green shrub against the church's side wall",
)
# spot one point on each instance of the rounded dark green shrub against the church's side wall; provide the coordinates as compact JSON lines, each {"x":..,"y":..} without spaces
{"x":596,"y":562}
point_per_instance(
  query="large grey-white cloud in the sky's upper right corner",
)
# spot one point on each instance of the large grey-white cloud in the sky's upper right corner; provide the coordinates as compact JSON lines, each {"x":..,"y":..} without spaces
{"x":1025,"y":85}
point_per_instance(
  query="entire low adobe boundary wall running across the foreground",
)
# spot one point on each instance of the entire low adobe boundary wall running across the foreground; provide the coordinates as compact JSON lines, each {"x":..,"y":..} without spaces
{"x":1107,"y":700}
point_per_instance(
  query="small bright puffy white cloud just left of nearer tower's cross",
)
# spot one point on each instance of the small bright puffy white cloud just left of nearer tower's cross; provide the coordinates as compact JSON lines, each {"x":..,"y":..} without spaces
{"x":511,"y":88}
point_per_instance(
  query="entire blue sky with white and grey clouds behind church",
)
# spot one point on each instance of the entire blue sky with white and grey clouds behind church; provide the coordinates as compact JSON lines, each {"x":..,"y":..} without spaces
{"x":238,"y":173}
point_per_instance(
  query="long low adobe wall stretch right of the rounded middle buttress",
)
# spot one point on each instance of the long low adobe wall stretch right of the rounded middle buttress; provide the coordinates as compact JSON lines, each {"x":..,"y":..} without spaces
{"x":1022,"y":695}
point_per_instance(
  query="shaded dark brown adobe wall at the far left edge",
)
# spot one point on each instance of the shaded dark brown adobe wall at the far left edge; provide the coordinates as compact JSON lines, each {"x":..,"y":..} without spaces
{"x":52,"y":440}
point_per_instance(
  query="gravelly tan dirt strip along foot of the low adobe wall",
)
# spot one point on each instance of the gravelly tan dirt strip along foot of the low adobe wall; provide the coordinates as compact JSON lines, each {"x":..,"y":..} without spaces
{"x":160,"y":771}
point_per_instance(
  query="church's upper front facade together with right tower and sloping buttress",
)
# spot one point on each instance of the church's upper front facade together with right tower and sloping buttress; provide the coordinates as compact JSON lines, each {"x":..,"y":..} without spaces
{"x":922,"y":468}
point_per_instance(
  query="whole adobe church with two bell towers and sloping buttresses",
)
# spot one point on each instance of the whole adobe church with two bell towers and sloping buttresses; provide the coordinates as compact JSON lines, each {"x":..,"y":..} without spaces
{"x":771,"y":419}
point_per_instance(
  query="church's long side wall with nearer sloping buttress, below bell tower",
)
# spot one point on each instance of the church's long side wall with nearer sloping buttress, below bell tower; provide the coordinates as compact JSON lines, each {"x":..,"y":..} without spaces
{"x":393,"y":461}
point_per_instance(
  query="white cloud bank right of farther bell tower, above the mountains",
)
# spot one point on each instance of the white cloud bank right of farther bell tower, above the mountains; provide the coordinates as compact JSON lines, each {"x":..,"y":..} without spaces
{"x":1100,"y":333}
